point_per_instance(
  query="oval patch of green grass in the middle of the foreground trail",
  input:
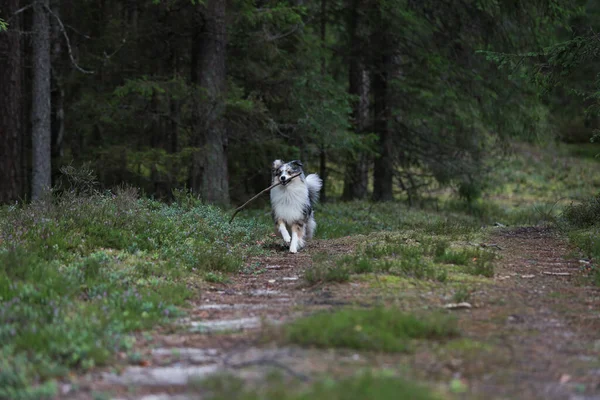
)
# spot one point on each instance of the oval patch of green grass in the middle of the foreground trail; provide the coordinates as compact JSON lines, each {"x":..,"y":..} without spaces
{"x":378,"y":329}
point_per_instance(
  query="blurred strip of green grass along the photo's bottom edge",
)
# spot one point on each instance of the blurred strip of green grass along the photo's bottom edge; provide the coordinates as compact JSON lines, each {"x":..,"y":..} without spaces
{"x":367,"y":385}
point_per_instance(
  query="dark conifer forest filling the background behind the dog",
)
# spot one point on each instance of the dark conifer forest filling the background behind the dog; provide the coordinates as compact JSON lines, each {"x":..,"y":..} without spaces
{"x":381,"y":97}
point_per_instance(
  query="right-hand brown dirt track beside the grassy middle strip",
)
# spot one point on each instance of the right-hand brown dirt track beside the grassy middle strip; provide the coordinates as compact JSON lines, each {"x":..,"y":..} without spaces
{"x":546,"y":318}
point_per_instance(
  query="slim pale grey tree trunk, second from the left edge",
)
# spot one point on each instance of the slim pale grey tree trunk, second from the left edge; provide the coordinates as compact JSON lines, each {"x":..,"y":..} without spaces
{"x":40,"y":112}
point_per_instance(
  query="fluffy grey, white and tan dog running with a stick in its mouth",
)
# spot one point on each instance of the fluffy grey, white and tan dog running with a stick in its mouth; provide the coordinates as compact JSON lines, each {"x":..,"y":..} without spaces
{"x":292,"y":202}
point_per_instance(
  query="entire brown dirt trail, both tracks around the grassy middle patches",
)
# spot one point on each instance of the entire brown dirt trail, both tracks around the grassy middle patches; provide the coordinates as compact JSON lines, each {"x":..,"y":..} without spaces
{"x":532,"y":333}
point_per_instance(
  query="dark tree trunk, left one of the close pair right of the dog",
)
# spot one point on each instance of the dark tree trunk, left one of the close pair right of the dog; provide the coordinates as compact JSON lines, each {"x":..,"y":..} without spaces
{"x":357,"y":170}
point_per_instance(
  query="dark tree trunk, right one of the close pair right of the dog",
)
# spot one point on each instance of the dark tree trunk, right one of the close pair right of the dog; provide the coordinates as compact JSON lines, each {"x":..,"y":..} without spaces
{"x":384,"y":166}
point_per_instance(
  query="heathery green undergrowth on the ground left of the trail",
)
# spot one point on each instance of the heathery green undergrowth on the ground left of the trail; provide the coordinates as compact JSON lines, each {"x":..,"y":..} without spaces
{"x":79,"y":274}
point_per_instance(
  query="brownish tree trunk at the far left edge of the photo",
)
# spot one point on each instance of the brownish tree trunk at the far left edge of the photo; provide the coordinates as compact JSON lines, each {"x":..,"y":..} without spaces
{"x":12,"y":181}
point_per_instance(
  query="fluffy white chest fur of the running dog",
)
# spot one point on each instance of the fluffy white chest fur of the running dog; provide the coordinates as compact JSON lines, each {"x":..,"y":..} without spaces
{"x":289,"y":202}
